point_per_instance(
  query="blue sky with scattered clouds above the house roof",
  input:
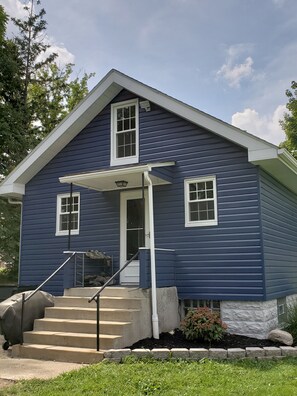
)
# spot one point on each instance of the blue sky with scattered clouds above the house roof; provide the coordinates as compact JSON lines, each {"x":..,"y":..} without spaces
{"x":233,"y":59}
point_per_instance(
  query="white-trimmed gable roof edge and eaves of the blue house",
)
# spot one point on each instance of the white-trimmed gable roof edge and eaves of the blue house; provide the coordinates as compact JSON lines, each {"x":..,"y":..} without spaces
{"x":277,"y":162}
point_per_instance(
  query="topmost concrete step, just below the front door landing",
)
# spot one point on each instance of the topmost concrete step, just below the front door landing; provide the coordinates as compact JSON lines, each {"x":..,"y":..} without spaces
{"x":110,"y":291}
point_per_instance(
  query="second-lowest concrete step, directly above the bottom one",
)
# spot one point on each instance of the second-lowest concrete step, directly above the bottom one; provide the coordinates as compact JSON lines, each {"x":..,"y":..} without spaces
{"x":77,"y":340}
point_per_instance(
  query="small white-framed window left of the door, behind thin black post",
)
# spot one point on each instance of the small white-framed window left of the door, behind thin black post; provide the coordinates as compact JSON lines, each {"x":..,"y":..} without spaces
{"x":67,"y":213}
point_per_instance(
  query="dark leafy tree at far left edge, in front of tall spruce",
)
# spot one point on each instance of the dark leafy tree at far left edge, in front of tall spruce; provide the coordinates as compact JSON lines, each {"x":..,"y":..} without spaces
{"x":12,"y":142}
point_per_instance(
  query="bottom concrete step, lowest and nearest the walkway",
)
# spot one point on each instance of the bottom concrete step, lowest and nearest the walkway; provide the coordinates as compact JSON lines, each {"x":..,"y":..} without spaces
{"x":57,"y":353}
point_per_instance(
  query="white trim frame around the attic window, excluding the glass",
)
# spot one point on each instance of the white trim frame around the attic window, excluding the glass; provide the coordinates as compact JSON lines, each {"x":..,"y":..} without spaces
{"x":113,"y":149}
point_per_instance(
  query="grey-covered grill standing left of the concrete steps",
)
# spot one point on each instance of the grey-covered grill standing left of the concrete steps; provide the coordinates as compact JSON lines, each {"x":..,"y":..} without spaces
{"x":11,"y":311}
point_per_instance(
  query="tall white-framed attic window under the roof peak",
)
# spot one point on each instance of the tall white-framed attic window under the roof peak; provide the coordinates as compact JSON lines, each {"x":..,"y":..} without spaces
{"x":124,"y":133}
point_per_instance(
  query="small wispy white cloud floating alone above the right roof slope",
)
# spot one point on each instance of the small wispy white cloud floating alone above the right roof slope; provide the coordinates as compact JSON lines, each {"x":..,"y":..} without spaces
{"x":236,"y":69}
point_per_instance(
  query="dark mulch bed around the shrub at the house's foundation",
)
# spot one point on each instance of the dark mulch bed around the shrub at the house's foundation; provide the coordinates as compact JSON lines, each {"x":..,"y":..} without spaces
{"x":177,"y":340}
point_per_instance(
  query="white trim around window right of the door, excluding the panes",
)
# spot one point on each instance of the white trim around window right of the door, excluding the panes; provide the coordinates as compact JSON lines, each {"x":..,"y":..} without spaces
{"x":200,"y":223}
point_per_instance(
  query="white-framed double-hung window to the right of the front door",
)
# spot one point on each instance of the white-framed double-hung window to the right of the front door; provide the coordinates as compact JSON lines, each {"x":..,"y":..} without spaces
{"x":201,"y":202}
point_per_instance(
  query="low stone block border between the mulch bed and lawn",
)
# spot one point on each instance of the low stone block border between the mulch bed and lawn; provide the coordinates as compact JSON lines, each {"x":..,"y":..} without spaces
{"x":118,"y":355}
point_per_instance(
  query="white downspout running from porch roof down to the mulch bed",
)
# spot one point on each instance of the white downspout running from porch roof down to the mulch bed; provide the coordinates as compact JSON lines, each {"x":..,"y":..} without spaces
{"x":155,"y":319}
